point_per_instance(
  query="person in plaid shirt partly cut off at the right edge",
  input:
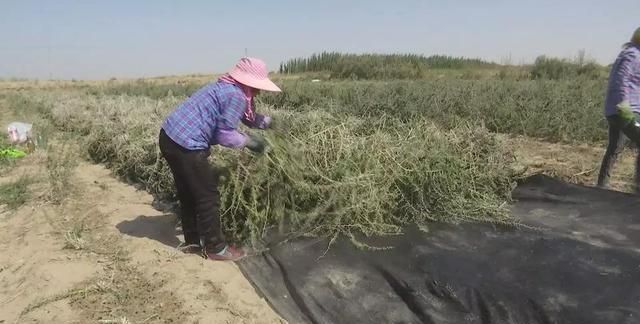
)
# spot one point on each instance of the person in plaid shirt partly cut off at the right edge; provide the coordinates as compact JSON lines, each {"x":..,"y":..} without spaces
{"x":622,"y":108}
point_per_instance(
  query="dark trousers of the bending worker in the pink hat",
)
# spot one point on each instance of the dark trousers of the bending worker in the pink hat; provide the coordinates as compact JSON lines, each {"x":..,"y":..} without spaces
{"x":197,"y":187}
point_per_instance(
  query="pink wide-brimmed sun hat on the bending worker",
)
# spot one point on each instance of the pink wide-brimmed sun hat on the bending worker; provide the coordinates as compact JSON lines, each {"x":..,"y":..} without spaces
{"x":253,"y":72}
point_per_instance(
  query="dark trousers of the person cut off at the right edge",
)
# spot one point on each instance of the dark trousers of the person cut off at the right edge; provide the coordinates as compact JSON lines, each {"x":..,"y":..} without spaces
{"x":617,"y":142}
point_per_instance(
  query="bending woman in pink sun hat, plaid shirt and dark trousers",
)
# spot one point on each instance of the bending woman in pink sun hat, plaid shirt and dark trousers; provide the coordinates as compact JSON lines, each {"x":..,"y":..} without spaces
{"x":209,"y":117}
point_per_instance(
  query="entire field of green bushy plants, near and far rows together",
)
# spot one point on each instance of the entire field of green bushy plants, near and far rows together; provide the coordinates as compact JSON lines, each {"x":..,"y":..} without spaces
{"x":348,"y":157}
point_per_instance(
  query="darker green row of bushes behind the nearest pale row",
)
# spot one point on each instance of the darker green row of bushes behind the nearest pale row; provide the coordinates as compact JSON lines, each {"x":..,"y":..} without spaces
{"x":556,"y":110}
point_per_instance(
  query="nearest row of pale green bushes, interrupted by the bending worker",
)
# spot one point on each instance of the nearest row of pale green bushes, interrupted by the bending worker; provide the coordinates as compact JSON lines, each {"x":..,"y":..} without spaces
{"x":330,"y":172}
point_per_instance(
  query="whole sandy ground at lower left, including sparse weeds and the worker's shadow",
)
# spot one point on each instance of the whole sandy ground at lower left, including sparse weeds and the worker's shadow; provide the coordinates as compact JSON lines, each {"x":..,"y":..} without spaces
{"x":104,"y":255}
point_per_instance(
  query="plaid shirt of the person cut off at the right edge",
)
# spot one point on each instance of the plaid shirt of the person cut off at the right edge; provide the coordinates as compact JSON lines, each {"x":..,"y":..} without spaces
{"x":624,"y":80}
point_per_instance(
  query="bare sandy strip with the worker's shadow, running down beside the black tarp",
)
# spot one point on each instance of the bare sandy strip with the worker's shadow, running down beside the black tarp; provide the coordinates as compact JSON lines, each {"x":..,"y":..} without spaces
{"x":210,"y":290}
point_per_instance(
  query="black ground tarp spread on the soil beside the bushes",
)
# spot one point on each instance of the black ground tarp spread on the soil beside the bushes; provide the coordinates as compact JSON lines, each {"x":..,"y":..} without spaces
{"x":582,"y":266}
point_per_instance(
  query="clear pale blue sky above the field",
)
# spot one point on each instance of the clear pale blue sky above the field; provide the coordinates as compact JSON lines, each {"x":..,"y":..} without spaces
{"x":101,"y":39}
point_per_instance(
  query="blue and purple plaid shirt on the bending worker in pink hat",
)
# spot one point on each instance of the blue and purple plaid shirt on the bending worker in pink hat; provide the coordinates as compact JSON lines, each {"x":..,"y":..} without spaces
{"x":211,"y":116}
